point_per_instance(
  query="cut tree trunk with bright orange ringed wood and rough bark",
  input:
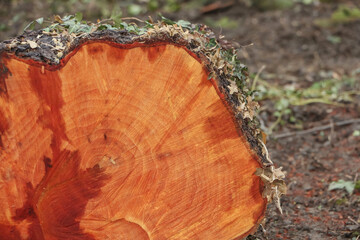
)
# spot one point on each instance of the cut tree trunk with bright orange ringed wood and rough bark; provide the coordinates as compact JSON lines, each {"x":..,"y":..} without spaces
{"x":114,"y":136}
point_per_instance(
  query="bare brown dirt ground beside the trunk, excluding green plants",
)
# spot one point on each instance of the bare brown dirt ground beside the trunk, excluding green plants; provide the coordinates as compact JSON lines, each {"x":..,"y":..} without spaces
{"x":296,"y":51}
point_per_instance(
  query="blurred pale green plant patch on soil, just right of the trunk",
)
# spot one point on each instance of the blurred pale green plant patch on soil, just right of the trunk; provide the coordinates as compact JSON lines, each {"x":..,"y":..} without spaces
{"x":333,"y":92}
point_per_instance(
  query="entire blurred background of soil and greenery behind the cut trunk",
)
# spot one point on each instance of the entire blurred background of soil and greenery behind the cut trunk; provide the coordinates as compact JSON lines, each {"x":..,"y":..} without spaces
{"x":304,"y":64}
